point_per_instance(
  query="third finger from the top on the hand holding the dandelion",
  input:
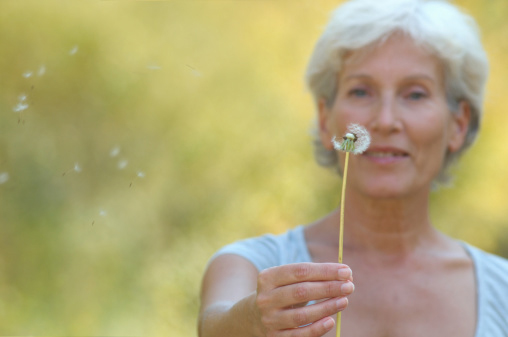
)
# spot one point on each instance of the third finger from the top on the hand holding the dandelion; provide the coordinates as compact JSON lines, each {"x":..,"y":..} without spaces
{"x":301,"y":317}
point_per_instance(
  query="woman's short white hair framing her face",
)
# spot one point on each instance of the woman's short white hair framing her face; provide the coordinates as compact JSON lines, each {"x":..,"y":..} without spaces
{"x":437,"y":25}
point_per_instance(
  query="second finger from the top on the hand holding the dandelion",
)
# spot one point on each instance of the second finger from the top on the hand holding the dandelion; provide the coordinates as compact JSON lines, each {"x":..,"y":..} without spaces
{"x":310,"y":291}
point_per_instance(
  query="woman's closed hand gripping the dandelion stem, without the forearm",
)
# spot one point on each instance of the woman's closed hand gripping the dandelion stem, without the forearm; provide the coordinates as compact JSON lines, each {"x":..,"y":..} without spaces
{"x":284,"y":291}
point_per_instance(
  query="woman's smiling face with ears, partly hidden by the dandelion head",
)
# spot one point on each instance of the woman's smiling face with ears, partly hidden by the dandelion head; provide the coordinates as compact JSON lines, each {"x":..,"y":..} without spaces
{"x":396,"y":90}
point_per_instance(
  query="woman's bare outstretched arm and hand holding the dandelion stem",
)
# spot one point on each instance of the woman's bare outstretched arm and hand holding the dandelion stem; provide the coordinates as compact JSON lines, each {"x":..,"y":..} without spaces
{"x":238,"y":301}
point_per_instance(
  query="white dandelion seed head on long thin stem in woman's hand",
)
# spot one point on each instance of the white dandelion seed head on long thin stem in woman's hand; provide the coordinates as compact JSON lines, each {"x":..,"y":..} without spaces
{"x":356,"y":140}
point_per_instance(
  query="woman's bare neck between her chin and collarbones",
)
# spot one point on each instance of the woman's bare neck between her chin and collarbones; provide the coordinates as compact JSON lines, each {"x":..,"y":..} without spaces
{"x":384,"y":226}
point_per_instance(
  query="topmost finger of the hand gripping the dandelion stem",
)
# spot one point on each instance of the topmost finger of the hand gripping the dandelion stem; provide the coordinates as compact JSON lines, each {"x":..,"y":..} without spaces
{"x":302,"y":272}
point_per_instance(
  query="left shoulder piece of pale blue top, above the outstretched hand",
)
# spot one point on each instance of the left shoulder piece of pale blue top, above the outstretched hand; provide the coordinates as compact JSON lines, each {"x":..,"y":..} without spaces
{"x":270,"y":250}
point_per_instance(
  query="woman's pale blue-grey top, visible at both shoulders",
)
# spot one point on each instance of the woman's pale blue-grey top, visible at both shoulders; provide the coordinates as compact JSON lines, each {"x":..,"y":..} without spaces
{"x":491,"y":273}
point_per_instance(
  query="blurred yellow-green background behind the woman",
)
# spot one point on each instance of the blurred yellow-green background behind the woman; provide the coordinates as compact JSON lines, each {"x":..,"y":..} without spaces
{"x":136,"y":138}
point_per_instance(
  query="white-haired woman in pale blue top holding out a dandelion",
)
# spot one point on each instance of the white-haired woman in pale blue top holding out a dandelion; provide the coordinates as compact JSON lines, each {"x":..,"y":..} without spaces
{"x":413,"y":73}
